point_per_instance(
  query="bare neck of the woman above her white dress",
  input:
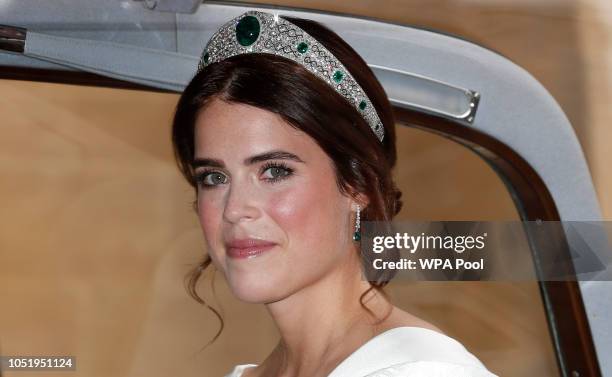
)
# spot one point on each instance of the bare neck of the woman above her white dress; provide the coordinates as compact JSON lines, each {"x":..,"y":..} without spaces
{"x":321,"y":324}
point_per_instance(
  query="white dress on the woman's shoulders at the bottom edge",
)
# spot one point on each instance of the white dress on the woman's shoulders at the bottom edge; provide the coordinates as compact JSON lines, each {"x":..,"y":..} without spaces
{"x":406,"y":352}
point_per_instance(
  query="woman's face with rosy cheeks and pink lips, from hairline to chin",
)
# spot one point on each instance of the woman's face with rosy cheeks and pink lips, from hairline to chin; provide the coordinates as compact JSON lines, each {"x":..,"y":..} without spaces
{"x":261,"y":179}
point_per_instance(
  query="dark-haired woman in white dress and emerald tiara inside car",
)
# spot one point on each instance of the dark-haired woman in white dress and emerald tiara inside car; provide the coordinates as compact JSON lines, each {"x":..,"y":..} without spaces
{"x":288,"y":140}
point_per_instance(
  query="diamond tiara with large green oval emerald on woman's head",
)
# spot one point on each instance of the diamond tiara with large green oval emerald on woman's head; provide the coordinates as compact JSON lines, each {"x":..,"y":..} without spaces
{"x":259,"y":32}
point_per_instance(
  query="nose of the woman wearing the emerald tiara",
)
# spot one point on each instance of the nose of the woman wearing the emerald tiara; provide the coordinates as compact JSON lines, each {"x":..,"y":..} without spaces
{"x":241,"y":203}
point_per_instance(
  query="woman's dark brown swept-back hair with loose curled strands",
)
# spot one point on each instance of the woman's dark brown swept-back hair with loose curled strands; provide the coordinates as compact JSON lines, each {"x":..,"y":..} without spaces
{"x":362,"y":163}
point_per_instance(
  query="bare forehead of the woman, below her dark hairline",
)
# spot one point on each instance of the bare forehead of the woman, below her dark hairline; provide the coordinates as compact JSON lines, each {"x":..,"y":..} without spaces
{"x":226,"y":129}
